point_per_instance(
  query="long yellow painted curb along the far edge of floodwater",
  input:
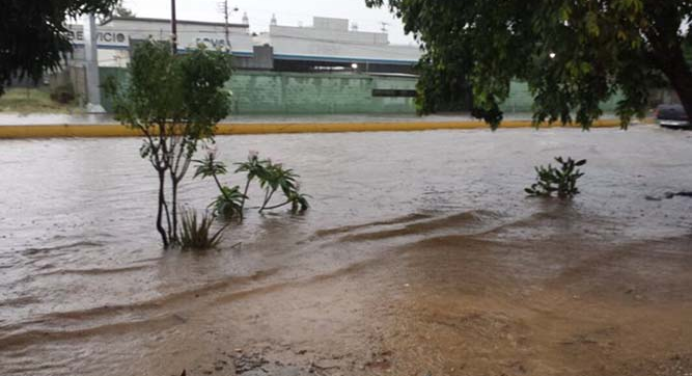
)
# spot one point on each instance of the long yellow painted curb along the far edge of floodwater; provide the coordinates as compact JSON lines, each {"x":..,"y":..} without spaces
{"x":117,"y":130}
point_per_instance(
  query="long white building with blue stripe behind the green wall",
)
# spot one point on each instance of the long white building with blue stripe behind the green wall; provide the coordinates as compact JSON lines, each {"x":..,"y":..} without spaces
{"x":329,"y":44}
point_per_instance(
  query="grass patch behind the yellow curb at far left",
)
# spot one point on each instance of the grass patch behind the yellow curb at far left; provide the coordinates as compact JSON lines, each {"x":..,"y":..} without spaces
{"x":34,"y":100}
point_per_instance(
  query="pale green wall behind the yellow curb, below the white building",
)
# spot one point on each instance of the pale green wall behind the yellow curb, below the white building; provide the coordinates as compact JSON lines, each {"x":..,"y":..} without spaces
{"x":262,"y":92}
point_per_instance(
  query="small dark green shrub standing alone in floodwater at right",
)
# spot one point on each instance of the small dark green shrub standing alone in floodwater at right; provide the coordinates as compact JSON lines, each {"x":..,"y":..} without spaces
{"x":562,"y":181}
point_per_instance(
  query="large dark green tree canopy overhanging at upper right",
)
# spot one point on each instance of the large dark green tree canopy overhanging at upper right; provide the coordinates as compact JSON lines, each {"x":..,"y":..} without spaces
{"x":574,"y":55}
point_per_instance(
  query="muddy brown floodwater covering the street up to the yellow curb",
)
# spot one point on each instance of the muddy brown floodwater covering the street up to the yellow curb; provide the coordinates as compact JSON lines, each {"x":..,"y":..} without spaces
{"x":421,"y":256}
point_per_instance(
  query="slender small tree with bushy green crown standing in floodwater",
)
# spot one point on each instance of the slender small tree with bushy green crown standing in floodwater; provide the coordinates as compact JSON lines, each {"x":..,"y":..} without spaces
{"x":175,"y":101}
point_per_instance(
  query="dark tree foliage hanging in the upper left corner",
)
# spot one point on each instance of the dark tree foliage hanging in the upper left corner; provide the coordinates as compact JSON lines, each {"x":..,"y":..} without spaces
{"x":33,"y":34}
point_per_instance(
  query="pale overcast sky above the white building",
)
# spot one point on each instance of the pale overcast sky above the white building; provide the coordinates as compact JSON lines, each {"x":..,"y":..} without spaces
{"x":288,"y":12}
